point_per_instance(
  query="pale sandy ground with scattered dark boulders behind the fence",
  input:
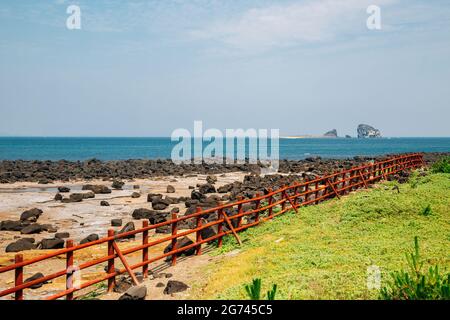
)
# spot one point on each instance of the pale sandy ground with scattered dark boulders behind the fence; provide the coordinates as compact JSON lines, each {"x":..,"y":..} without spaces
{"x":87,"y":217}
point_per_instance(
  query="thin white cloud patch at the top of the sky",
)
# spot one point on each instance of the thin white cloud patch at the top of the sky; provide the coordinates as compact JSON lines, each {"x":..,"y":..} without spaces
{"x":291,"y":24}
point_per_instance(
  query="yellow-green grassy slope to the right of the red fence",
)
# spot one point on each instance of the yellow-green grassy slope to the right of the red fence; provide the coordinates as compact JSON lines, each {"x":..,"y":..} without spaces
{"x":323,"y":252}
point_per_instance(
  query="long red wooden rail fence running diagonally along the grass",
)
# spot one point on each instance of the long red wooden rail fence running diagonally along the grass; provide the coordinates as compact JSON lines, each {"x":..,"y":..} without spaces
{"x":262,"y":208}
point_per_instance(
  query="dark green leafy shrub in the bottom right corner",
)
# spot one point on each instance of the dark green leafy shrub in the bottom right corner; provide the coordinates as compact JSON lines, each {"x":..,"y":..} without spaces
{"x":415,"y":284}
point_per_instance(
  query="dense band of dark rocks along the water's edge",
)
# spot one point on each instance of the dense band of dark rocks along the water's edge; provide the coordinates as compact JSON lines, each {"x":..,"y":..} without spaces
{"x":44,"y":172}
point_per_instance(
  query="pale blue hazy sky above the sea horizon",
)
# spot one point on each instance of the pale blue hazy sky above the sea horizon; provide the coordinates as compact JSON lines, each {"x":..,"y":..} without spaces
{"x":146,"y":68}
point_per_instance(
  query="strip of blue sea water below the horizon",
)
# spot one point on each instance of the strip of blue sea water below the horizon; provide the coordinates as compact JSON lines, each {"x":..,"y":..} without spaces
{"x":42,"y":148}
